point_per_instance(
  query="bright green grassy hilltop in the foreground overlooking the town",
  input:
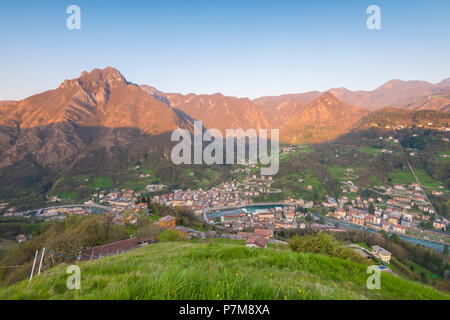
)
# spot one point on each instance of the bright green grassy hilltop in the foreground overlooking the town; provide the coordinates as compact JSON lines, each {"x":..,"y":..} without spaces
{"x":218,"y":269}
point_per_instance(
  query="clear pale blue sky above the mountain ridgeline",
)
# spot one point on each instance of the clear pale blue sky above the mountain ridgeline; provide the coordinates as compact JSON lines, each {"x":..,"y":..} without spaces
{"x":245,"y":48}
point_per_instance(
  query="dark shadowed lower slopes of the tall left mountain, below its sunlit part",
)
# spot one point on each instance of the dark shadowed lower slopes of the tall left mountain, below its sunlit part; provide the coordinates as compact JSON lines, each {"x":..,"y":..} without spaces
{"x":60,"y":156}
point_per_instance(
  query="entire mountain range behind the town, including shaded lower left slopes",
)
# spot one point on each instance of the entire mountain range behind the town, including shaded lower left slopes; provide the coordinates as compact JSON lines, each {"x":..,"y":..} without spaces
{"x":101,"y":125}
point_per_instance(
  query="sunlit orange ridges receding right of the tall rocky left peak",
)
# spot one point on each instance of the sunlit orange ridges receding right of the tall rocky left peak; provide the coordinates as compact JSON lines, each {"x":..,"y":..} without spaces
{"x":292,"y":112}
